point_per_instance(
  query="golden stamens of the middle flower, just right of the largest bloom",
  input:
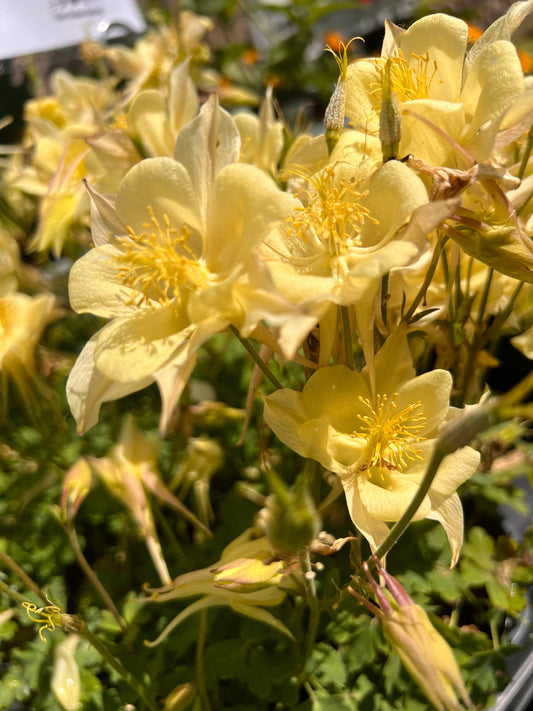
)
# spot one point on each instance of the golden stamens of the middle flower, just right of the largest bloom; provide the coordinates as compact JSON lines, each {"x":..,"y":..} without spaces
{"x":332,"y":210}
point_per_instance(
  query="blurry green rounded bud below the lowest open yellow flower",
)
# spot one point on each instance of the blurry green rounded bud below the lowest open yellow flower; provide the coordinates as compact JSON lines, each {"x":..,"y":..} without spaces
{"x":289,"y":520}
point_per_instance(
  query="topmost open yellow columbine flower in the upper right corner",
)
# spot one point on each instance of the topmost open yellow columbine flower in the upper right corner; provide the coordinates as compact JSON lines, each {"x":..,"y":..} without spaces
{"x":465,"y":95}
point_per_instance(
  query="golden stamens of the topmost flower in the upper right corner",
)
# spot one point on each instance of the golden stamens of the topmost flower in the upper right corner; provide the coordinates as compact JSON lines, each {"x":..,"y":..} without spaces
{"x":409,"y":80}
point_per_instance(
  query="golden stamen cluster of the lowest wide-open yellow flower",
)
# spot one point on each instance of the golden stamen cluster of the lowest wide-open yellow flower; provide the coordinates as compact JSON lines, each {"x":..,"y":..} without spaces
{"x":390,"y":434}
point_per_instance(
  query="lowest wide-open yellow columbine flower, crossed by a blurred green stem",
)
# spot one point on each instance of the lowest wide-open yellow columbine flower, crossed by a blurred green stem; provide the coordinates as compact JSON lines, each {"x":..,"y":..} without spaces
{"x":379,"y":441}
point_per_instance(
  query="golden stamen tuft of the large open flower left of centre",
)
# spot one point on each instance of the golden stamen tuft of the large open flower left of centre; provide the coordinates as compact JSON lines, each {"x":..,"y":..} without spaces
{"x":159,"y":264}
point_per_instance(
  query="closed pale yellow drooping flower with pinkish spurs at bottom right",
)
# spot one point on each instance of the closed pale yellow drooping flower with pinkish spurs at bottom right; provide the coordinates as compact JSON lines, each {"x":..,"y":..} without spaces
{"x":424,"y":653}
